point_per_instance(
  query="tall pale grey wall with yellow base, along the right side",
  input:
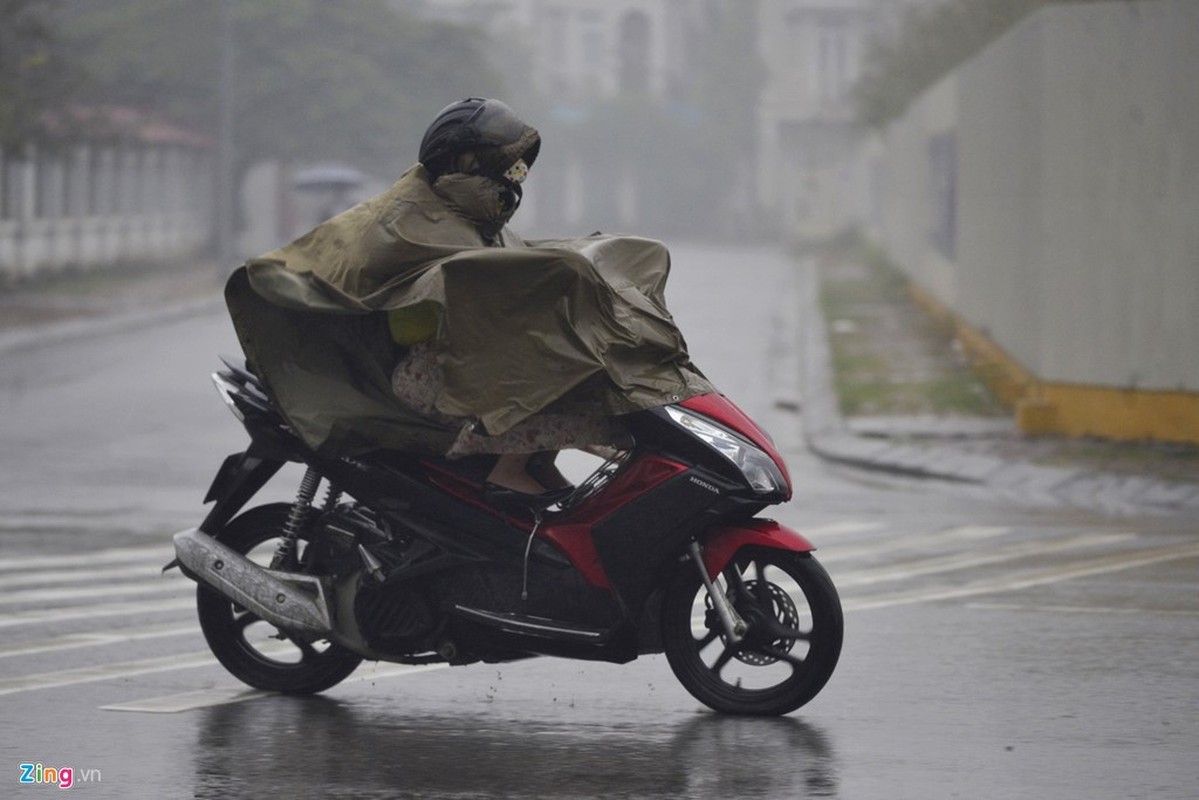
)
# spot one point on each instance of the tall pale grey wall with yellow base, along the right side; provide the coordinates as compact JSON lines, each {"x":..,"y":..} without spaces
{"x":1076,"y":190}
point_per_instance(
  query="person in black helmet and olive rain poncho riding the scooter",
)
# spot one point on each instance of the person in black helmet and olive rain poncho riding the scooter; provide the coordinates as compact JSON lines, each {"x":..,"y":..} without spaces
{"x":505,"y":348}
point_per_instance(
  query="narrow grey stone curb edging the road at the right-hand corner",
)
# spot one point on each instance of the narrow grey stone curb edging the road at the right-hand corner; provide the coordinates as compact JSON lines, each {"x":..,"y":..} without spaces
{"x":830,"y":438}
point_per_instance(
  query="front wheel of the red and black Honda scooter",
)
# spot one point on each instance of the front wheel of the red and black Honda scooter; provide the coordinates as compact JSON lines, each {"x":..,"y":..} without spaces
{"x":794,"y":629}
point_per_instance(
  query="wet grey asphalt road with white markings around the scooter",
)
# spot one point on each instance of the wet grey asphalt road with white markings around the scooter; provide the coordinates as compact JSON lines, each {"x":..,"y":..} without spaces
{"x":991,"y":652}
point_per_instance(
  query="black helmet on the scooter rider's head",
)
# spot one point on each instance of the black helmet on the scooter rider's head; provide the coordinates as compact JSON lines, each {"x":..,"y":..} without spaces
{"x":485,"y":127}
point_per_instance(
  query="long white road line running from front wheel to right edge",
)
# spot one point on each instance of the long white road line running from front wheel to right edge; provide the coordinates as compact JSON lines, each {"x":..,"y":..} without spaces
{"x":1101,"y":566}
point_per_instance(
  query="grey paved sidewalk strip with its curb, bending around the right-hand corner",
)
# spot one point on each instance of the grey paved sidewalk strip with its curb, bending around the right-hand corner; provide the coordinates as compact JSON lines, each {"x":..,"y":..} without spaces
{"x":981,"y":453}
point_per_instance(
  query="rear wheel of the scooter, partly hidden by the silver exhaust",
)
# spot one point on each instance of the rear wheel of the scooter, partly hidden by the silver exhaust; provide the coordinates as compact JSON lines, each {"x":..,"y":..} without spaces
{"x":254,"y":651}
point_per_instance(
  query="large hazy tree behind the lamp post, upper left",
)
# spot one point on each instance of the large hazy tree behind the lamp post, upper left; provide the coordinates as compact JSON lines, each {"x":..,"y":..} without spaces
{"x":315,"y":81}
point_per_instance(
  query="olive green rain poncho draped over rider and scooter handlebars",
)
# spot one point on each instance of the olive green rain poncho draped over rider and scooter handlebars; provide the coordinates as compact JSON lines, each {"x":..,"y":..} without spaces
{"x":571,"y":327}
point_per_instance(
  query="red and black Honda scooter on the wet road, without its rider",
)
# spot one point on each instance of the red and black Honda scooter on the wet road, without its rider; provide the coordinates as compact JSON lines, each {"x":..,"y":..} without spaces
{"x":403,"y":561}
